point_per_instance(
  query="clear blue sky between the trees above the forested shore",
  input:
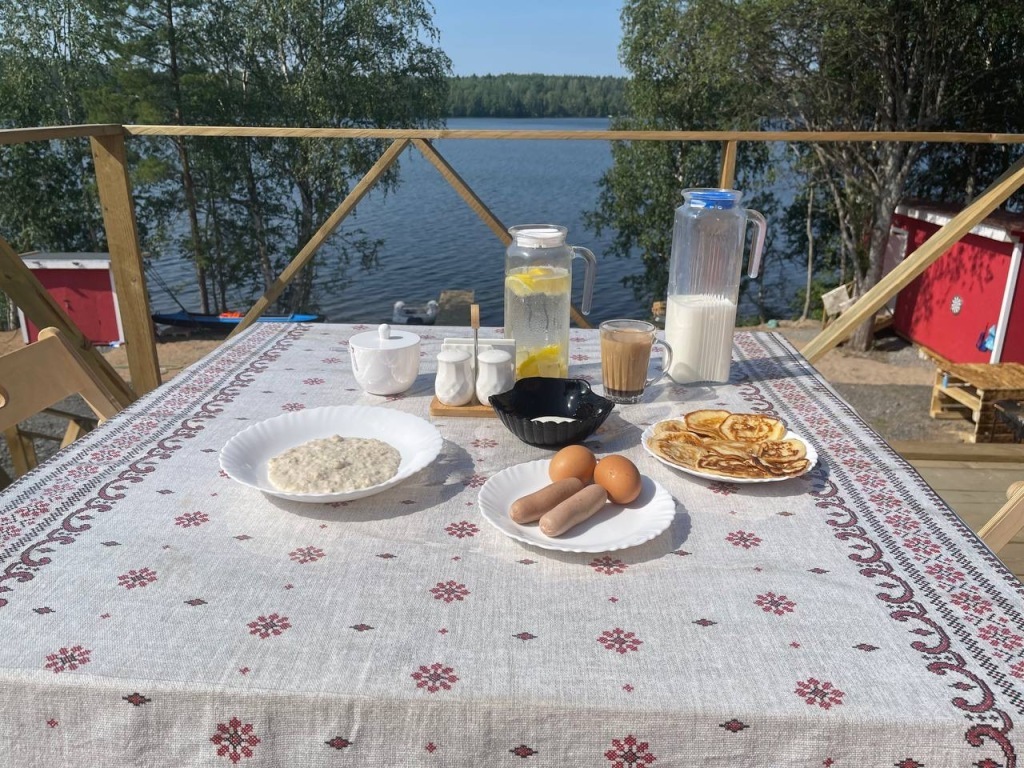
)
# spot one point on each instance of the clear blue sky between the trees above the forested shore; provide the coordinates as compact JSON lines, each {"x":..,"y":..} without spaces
{"x":550,"y":37}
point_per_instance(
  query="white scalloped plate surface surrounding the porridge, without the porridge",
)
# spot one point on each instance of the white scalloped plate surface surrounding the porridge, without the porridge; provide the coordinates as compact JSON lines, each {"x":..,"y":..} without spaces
{"x":246,"y":455}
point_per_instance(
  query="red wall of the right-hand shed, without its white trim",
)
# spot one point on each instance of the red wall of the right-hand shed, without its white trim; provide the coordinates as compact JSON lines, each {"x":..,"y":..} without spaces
{"x":975,"y":270}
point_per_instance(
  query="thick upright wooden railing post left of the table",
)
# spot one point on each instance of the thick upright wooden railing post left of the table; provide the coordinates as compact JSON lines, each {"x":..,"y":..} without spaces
{"x":126,"y":259}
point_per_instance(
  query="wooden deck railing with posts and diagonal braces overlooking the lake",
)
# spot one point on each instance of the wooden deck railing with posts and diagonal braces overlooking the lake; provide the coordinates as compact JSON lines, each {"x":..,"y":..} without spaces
{"x":108,"y":145}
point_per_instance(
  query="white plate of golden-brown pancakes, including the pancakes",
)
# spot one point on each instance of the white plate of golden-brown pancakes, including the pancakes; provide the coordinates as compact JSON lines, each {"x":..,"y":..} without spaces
{"x":720,"y":445}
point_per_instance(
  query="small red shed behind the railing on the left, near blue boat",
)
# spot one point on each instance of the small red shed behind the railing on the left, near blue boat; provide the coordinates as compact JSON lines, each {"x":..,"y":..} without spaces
{"x":83,"y":285}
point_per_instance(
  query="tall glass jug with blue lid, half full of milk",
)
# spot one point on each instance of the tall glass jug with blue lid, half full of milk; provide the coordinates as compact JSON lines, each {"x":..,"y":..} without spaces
{"x":704,"y":282}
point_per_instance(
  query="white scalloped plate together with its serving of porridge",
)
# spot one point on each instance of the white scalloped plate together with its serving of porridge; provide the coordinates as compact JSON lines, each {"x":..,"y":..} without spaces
{"x":332,"y":454}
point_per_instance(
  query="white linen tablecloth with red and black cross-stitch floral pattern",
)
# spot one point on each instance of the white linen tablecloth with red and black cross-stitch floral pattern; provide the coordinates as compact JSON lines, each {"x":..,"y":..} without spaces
{"x":156,"y":613}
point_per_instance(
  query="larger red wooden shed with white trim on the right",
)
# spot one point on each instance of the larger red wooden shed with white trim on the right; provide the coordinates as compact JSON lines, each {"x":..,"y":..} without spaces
{"x":969,"y":306}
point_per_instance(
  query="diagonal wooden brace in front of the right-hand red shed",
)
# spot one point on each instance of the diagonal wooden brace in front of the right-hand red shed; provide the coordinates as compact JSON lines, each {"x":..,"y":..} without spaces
{"x":917,"y":263}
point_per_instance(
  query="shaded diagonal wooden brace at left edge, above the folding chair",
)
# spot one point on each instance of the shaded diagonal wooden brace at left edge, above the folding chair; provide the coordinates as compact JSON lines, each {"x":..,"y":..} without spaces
{"x":28,"y":293}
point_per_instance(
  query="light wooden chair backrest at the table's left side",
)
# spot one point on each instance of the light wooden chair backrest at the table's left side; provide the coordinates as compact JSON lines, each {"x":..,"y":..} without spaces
{"x":44,"y":374}
